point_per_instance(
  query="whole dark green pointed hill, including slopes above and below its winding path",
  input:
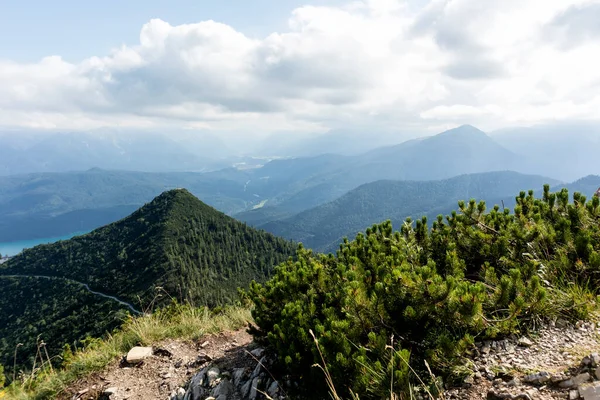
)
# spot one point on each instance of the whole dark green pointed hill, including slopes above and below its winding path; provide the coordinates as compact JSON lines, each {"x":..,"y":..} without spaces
{"x":173,"y":247}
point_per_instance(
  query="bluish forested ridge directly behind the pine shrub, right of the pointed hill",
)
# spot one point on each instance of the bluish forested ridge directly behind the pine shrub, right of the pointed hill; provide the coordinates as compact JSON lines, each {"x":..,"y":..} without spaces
{"x":322,"y":228}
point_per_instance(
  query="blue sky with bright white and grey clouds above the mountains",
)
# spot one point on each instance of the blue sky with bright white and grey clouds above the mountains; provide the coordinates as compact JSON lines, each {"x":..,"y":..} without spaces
{"x":291,"y":65}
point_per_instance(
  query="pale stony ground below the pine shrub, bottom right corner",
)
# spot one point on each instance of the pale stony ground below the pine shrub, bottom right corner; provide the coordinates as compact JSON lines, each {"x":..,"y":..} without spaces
{"x":560,"y":362}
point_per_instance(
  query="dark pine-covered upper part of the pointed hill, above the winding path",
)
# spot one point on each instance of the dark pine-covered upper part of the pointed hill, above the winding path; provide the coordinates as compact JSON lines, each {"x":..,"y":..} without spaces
{"x":176,"y":242}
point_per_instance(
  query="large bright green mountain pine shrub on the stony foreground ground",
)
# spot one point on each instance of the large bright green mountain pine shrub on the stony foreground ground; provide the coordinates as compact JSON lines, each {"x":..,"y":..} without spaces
{"x":425,"y":292}
